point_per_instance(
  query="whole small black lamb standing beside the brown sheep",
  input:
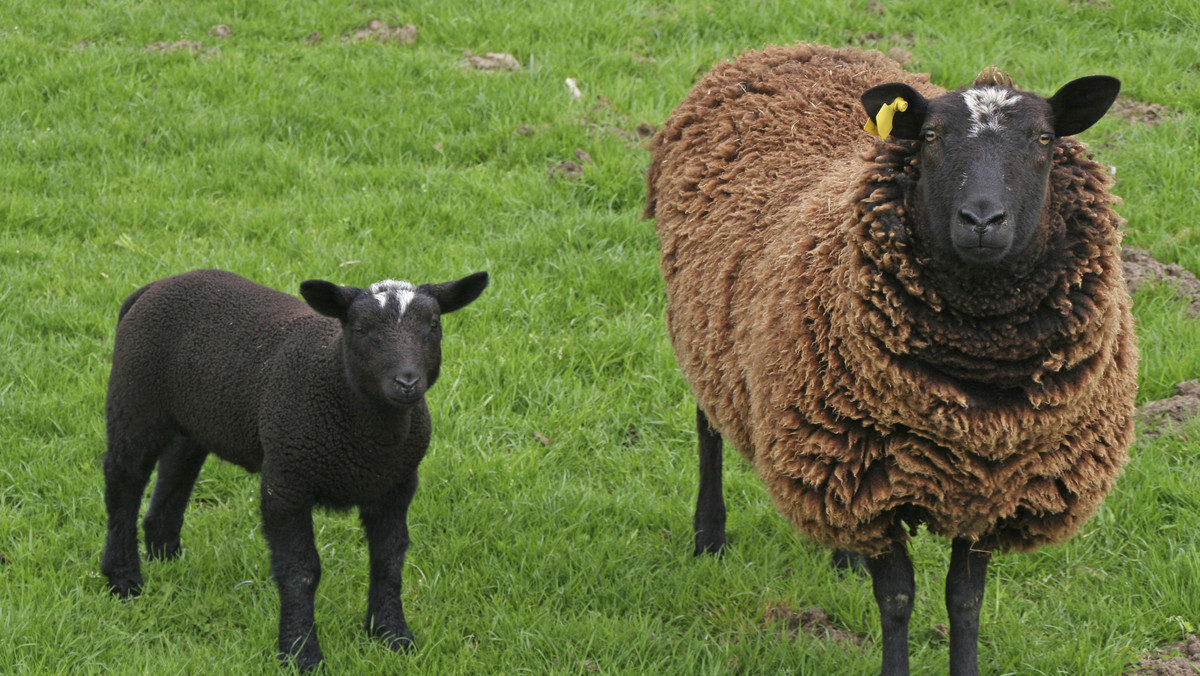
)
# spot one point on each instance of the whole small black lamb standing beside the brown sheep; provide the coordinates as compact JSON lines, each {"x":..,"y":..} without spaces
{"x":326,"y":400}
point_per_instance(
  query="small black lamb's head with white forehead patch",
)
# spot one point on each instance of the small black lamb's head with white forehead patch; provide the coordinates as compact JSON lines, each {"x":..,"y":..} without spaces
{"x":392,"y":332}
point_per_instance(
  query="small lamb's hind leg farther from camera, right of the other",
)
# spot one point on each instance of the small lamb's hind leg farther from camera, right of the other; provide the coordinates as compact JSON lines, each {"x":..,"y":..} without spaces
{"x":178,"y":470}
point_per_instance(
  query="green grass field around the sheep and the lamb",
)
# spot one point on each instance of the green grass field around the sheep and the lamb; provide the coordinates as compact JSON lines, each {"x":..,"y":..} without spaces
{"x":551,"y":534}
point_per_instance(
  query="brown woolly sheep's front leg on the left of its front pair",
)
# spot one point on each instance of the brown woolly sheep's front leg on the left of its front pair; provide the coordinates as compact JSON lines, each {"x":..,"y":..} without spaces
{"x":893,"y":585}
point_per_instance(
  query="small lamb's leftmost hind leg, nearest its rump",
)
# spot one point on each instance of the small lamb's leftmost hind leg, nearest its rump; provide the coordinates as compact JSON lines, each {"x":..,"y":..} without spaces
{"x":128,"y":466}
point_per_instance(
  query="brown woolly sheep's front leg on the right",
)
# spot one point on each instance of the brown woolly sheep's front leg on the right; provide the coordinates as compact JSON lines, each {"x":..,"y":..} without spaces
{"x":964,"y":597}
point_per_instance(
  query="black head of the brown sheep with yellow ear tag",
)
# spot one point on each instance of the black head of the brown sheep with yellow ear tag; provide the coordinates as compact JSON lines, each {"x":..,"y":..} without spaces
{"x":985,"y":163}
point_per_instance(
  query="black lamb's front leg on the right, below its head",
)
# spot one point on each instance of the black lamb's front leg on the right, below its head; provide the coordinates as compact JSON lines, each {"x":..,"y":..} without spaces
{"x":387,"y":529}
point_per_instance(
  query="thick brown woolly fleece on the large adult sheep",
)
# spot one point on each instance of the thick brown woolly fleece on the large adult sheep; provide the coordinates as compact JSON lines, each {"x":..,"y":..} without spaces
{"x":871,"y":390}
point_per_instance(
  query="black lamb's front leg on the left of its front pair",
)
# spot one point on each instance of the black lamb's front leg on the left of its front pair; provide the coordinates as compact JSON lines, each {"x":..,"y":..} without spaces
{"x":297,"y":571}
